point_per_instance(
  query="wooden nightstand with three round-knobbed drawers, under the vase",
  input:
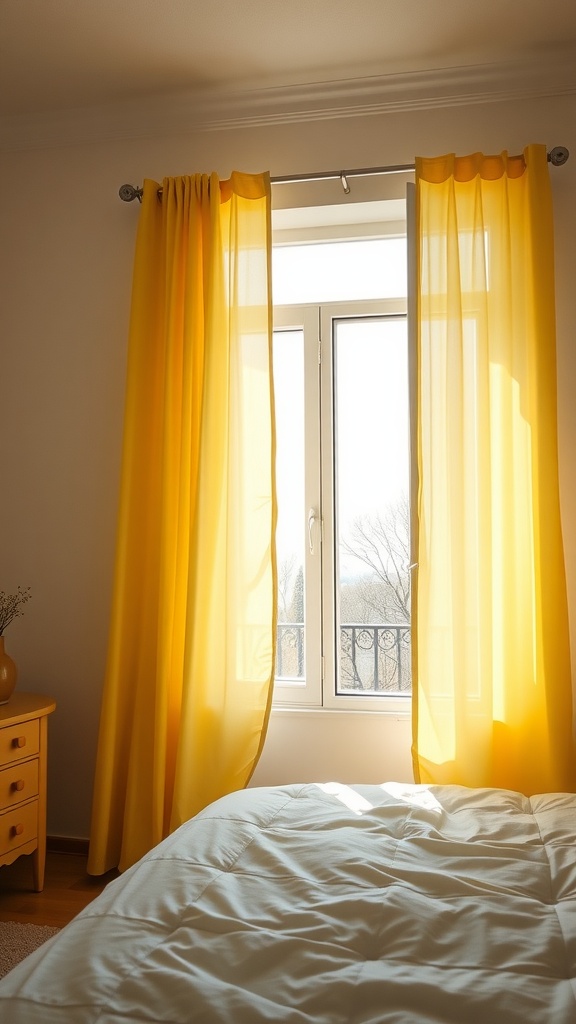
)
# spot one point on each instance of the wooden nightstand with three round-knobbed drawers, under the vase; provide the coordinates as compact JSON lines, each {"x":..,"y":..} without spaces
{"x":24,"y":734}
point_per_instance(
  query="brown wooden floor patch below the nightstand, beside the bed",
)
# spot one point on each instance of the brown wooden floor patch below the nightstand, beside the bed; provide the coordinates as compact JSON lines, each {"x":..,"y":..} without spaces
{"x":67,"y":890}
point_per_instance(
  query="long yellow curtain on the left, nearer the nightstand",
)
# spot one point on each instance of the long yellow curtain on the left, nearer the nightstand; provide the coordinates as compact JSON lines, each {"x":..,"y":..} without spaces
{"x":192,"y":646}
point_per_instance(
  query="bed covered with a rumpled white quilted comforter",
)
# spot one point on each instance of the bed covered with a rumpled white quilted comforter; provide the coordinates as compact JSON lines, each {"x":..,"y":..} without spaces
{"x":328,"y":904}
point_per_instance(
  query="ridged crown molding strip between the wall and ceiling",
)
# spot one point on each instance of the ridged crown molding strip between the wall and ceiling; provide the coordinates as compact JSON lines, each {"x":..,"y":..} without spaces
{"x":188,"y":113}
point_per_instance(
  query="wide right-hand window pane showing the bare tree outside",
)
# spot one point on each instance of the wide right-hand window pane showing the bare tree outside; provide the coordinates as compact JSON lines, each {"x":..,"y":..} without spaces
{"x":373,"y":529}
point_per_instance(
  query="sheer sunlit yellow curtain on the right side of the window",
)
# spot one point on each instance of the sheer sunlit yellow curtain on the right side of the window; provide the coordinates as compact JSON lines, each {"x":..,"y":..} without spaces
{"x":493,"y":700}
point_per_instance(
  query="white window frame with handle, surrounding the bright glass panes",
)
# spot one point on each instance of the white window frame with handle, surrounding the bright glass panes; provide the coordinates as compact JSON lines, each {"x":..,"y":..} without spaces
{"x":318,"y":690}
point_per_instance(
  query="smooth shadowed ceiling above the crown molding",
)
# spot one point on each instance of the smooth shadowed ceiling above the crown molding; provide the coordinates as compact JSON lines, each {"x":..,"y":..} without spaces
{"x":64,"y":55}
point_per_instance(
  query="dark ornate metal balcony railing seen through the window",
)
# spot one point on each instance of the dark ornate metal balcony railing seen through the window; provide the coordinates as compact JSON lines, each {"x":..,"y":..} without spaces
{"x":374,"y":658}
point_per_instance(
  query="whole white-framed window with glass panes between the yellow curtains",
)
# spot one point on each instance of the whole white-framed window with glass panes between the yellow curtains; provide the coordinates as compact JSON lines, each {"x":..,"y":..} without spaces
{"x":342,"y":389}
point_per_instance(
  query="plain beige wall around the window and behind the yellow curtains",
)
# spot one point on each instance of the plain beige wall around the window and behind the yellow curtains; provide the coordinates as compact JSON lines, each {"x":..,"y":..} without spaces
{"x":67,"y":245}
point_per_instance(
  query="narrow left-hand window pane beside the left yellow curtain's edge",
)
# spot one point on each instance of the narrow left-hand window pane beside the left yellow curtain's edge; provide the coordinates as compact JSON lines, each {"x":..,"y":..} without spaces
{"x":290,"y":398}
